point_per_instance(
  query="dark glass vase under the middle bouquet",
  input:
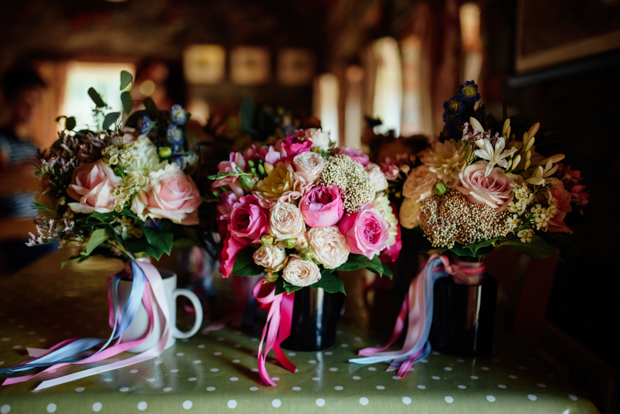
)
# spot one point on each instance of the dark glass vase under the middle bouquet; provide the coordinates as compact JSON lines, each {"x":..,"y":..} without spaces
{"x":315,"y":315}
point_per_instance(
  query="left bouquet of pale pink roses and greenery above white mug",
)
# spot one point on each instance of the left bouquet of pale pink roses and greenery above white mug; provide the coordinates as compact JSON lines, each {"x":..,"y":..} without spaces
{"x":119,"y":191}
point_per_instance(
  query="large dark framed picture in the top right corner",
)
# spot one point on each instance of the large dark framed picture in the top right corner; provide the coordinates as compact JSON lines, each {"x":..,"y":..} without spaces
{"x":553,"y":32}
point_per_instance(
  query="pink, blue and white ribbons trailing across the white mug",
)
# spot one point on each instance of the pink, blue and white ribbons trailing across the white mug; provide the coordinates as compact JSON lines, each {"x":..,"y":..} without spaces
{"x":146,"y":278}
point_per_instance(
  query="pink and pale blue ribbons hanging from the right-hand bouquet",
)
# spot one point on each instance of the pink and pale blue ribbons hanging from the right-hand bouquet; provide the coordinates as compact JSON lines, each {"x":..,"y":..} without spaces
{"x":418,"y":309}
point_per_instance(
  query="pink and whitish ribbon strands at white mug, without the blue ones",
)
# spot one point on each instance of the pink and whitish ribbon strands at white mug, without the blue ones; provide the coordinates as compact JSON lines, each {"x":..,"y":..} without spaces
{"x":154,"y":280}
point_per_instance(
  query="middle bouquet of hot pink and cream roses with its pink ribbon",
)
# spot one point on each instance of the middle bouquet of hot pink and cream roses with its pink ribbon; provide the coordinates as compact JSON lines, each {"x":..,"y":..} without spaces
{"x":298,"y":211}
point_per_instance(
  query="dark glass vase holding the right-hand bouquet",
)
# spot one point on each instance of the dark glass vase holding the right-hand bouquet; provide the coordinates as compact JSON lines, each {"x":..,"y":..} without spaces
{"x":463,"y":317}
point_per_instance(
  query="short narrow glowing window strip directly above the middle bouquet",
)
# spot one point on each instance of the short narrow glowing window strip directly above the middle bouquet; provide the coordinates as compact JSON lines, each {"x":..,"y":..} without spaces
{"x":326,"y":104}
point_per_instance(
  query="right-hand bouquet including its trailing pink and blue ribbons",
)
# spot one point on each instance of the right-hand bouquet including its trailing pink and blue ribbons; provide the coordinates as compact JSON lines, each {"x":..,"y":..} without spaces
{"x":471,"y":192}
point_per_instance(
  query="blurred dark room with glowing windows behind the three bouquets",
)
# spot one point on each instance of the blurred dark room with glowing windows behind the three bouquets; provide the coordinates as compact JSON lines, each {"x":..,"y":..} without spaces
{"x":339,"y":61}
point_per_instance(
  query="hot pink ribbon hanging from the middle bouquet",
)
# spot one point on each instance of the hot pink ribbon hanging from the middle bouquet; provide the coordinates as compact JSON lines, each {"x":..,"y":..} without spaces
{"x":277,"y":328}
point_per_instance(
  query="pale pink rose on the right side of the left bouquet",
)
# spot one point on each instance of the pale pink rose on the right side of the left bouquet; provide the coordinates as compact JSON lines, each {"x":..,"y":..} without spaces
{"x":172,"y":195}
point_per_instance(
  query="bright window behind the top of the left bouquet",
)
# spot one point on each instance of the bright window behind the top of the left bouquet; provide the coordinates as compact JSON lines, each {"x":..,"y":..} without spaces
{"x":104,"y":77}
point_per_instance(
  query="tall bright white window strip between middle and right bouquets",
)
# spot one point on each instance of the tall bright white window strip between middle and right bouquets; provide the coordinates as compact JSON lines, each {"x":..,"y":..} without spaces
{"x":388,"y":85}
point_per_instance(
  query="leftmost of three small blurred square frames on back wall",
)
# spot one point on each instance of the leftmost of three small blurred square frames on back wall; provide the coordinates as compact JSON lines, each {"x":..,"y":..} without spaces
{"x":204,"y":64}
